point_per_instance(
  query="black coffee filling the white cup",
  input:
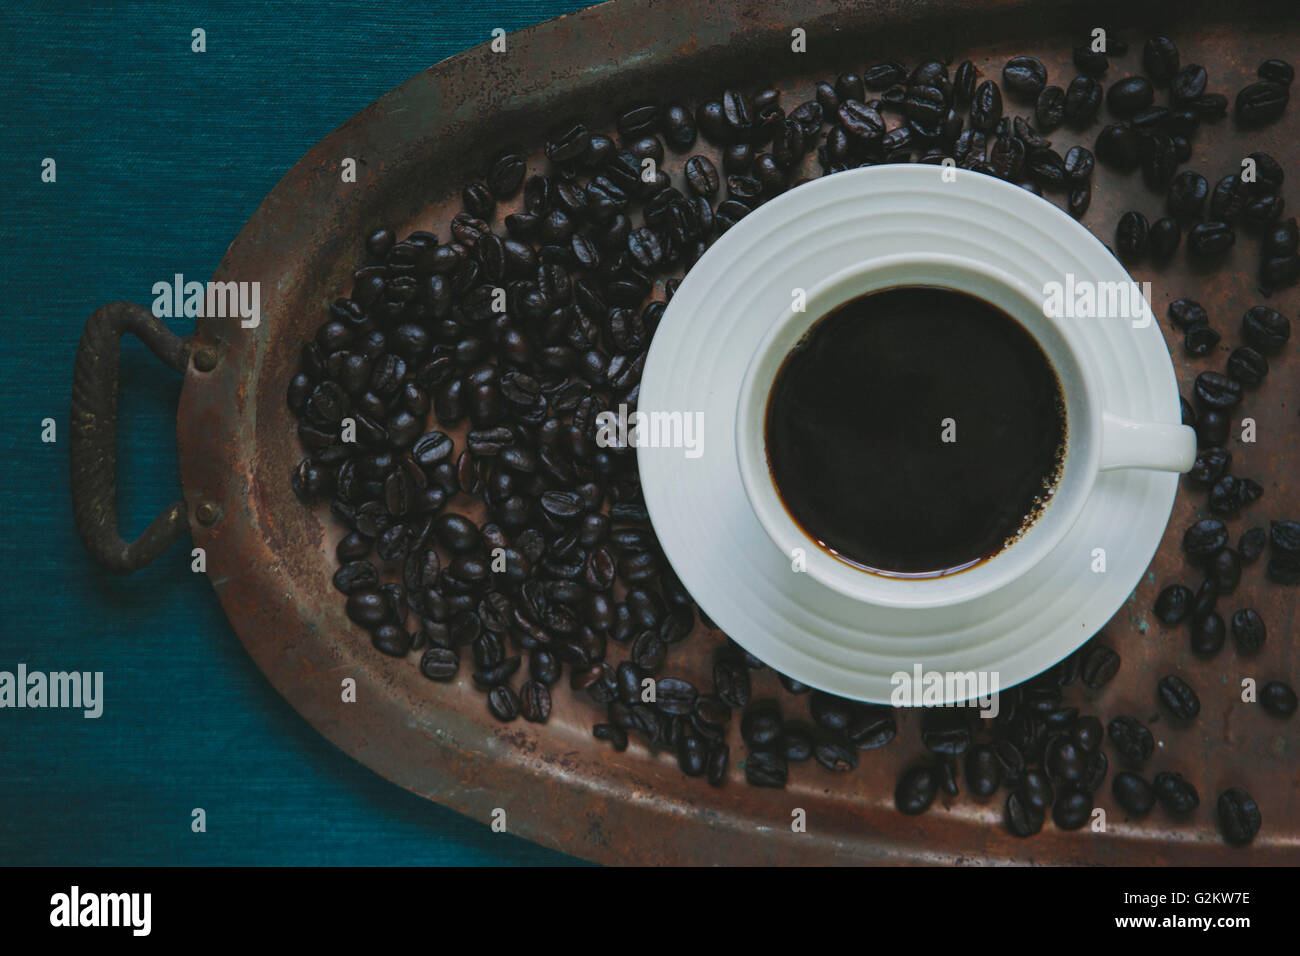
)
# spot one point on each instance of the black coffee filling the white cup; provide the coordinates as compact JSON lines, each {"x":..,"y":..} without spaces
{"x":916,"y":431}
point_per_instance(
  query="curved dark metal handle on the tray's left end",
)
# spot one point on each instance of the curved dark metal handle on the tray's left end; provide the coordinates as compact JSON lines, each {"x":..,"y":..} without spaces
{"x":94,"y":436}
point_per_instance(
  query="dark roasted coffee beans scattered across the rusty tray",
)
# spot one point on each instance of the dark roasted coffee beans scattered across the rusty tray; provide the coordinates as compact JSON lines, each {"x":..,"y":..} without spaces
{"x":449,"y":408}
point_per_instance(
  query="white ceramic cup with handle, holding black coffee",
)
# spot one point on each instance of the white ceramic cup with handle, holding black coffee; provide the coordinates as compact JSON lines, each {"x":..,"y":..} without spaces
{"x":1097,"y":440}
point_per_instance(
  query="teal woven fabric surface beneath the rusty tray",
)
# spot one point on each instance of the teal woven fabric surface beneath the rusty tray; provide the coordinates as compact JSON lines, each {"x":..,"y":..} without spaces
{"x":162,"y":157}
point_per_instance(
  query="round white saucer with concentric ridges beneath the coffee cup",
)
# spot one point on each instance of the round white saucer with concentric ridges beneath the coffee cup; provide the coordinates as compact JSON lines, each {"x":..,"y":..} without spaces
{"x":699,"y":505}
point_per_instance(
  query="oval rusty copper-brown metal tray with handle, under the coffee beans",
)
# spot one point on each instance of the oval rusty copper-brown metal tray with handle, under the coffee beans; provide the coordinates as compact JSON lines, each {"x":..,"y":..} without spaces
{"x":271,"y":561}
